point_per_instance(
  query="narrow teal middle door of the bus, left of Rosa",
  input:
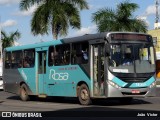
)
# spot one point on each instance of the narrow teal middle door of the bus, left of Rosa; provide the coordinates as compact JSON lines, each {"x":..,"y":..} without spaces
{"x":41,"y":71}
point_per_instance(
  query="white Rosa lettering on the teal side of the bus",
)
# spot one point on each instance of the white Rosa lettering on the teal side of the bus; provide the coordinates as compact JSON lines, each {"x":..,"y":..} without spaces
{"x":58,"y":76}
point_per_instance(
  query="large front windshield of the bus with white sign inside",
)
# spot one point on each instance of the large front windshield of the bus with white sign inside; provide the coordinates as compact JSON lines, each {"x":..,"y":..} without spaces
{"x":132,"y":58}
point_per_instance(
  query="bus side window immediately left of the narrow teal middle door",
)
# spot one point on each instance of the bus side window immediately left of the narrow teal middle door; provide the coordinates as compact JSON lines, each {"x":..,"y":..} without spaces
{"x":29,"y":58}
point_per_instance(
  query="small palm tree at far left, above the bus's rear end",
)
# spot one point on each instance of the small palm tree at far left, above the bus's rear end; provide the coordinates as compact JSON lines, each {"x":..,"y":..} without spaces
{"x":9,"y":40}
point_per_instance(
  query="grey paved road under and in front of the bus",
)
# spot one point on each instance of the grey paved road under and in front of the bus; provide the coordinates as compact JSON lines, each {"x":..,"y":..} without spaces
{"x":11,"y":102}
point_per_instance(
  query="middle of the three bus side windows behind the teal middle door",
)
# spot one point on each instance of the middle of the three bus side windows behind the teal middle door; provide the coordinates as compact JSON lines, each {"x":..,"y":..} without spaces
{"x":17,"y":57}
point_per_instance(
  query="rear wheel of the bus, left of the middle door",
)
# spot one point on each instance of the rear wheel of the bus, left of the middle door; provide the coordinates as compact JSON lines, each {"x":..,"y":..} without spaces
{"x":24,"y":93}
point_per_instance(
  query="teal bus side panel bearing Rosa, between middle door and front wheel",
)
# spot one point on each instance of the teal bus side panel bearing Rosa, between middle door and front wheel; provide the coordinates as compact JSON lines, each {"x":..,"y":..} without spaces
{"x":63,"y":80}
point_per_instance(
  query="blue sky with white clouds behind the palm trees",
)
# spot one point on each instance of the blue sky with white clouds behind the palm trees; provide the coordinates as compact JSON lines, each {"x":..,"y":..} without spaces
{"x":13,"y":19}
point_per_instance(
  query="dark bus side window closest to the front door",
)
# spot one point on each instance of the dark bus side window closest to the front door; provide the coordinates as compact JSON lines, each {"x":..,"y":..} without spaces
{"x":80,"y":53}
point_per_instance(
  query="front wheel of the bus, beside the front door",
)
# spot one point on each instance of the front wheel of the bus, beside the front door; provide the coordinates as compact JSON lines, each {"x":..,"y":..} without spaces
{"x":84,"y":95}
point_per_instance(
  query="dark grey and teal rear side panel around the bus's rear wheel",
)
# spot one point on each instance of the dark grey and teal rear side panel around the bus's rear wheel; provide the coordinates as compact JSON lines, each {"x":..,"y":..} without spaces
{"x":13,"y":78}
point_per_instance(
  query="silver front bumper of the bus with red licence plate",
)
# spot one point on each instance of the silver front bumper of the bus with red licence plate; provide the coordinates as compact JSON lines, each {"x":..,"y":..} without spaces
{"x":131,"y":92}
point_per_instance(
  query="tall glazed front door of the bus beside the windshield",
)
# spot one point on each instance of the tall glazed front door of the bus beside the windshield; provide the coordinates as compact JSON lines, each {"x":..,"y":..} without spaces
{"x":98,"y":69}
